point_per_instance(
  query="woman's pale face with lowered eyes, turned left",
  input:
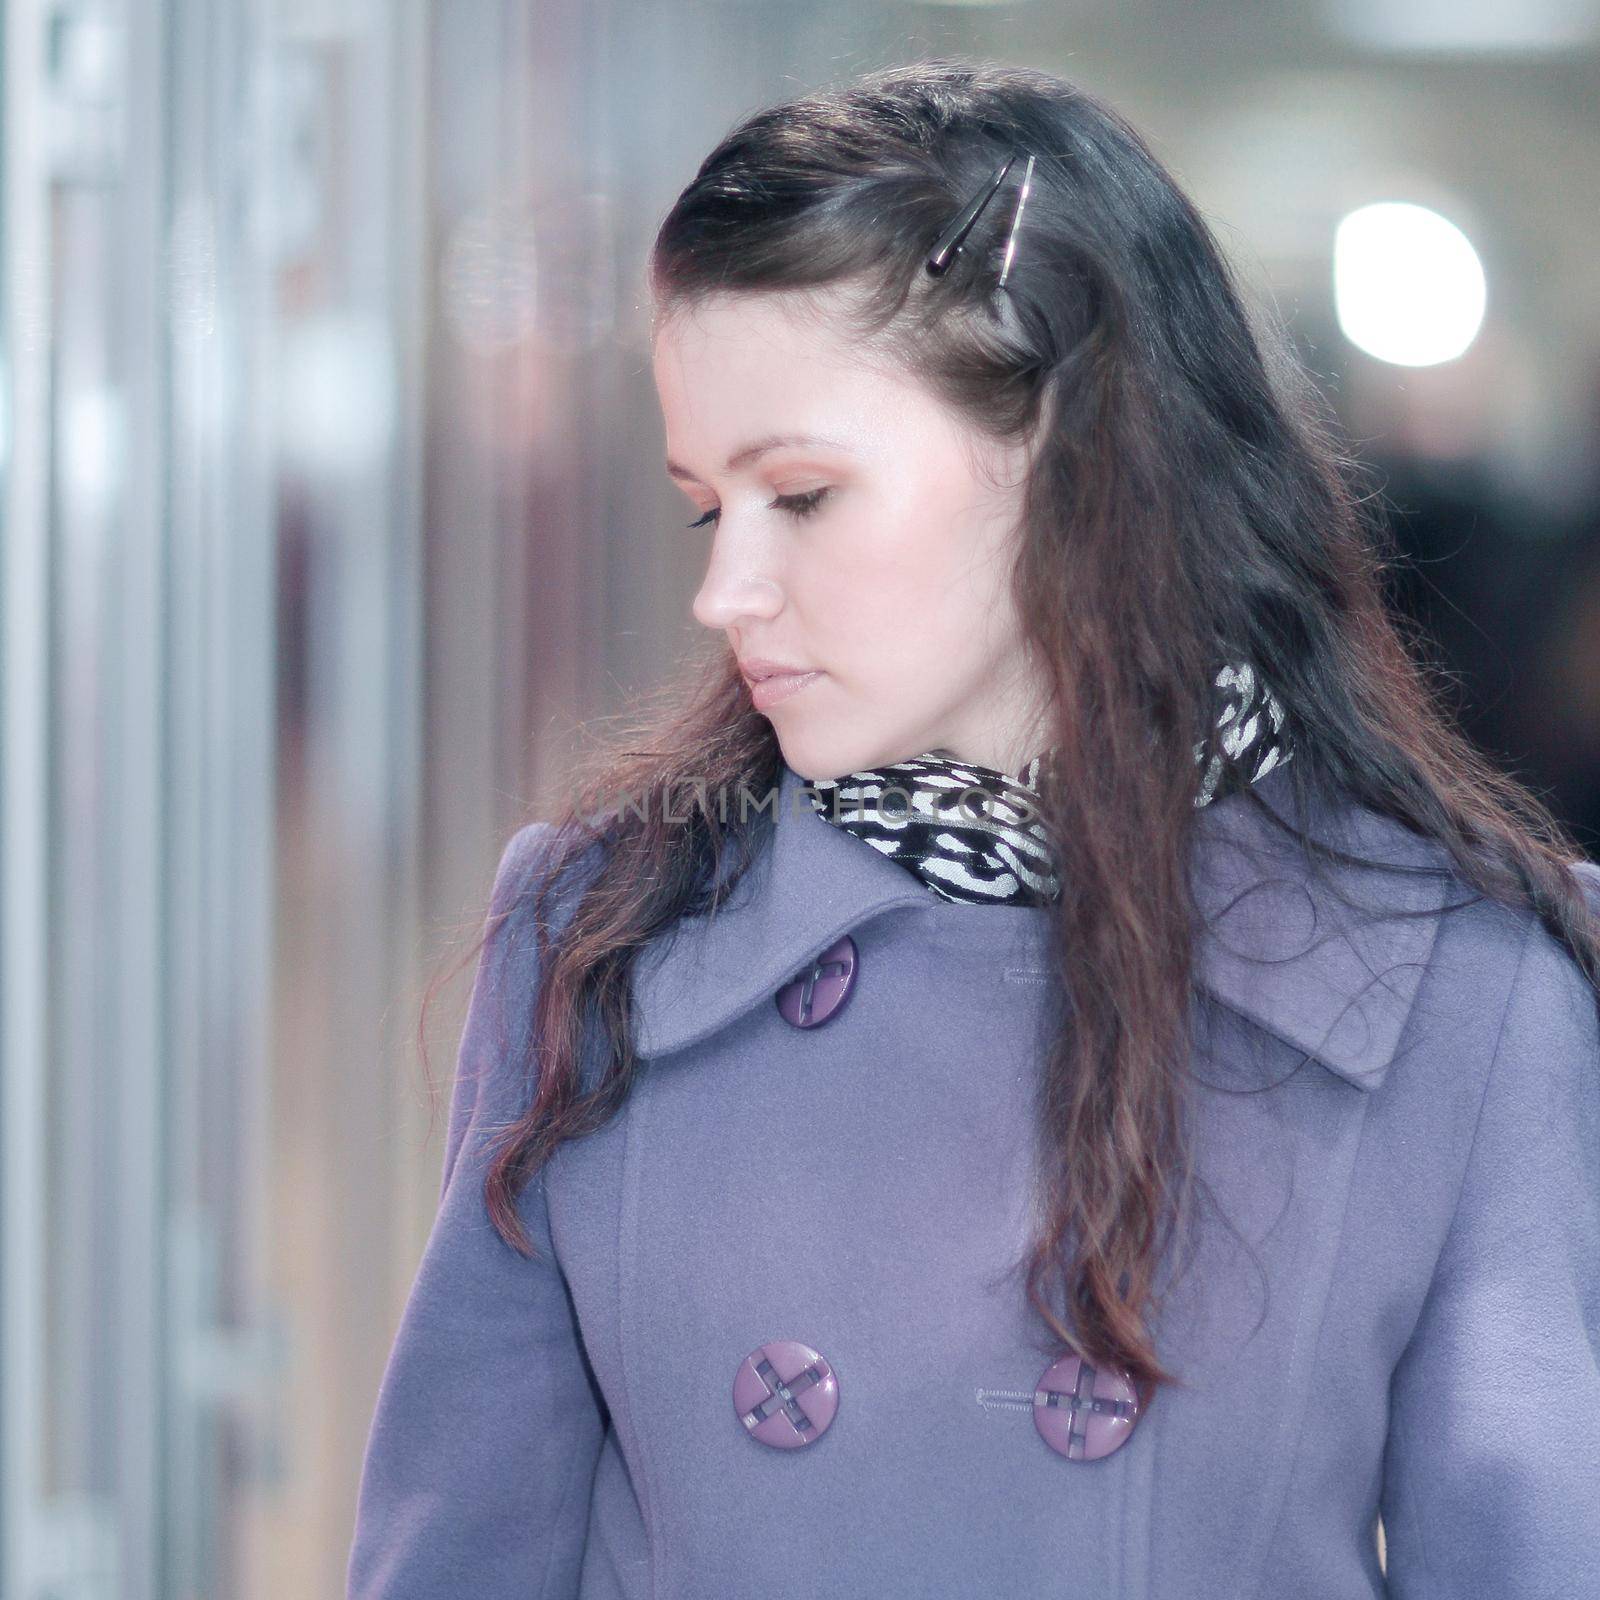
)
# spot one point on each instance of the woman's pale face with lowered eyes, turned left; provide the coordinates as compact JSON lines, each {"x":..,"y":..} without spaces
{"x":873,"y":553}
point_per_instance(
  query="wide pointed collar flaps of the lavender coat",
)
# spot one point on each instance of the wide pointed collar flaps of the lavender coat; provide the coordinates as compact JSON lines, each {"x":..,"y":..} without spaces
{"x":1276,"y":945}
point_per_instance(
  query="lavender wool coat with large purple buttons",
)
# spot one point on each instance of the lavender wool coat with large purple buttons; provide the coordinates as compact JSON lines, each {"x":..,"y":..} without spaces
{"x":1394,"y":1308}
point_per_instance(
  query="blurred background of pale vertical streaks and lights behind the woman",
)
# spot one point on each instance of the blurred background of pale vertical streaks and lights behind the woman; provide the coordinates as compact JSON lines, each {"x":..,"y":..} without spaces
{"x":334,"y":508}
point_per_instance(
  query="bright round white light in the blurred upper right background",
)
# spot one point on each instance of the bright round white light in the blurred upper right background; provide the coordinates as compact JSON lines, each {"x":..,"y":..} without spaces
{"x":1407,"y":284}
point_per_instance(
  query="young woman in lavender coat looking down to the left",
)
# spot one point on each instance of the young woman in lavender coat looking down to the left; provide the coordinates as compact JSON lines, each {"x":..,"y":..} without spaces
{"x":1057,"y":1071}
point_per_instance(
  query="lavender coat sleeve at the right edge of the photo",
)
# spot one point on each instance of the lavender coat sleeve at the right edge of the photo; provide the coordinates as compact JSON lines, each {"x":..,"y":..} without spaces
{"x":1514,"y":1289}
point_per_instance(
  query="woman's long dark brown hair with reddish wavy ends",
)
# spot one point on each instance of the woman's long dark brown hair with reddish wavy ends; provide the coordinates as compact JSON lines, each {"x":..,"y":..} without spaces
{"x":1190,"y":505}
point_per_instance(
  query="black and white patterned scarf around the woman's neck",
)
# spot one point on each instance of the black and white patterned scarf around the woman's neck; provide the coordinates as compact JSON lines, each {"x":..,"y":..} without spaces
{"x":974,"y":834}
